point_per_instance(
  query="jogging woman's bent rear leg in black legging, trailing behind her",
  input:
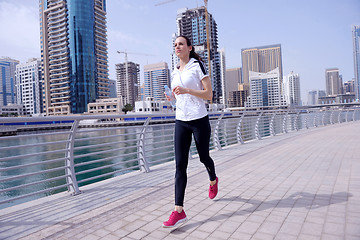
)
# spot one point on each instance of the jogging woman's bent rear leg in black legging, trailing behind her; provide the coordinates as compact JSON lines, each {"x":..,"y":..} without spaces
{"x":202,"y":133}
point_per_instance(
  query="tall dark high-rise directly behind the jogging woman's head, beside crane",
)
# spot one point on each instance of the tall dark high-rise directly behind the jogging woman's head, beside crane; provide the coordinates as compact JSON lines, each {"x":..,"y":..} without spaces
{"x":192,"y":23}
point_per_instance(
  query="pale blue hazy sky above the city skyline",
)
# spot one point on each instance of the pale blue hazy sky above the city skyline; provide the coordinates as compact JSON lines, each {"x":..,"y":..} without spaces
{"x":314,"y":34}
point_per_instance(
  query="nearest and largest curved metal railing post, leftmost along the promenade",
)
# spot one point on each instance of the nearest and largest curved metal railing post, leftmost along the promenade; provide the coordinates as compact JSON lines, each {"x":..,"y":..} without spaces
{"x":69,"y":162}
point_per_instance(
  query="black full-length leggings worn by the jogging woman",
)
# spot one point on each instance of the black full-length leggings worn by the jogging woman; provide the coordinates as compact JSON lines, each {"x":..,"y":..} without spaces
{"x":183,"y":131}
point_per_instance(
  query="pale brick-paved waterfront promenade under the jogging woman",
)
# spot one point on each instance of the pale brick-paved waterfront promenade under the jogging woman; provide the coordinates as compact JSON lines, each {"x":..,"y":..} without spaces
{"x":300,"y":185}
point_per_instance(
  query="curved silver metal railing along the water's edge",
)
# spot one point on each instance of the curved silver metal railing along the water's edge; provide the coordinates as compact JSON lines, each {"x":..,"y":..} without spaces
{"x":68,"y":152}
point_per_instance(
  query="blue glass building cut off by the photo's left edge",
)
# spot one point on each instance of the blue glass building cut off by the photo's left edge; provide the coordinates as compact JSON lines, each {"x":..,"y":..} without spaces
{"x":7,"y":79}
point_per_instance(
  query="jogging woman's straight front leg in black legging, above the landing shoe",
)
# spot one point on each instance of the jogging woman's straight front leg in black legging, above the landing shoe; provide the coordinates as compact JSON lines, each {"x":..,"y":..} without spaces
{"x":182,"y":147}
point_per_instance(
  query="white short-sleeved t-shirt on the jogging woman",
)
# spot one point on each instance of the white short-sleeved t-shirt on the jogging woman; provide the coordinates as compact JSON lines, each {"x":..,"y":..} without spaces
{"x":189,"y":107}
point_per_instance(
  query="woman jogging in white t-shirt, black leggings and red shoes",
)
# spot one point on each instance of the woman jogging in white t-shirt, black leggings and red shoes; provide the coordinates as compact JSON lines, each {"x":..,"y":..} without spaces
{"x":190,"y":85}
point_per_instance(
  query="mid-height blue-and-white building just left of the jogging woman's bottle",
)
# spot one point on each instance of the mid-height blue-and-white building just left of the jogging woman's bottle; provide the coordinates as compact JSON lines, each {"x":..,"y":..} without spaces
{"x":156,"y":76}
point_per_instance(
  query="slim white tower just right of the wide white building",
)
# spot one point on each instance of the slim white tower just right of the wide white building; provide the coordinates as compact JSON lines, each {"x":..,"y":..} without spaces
{"x":291,"y":89}
